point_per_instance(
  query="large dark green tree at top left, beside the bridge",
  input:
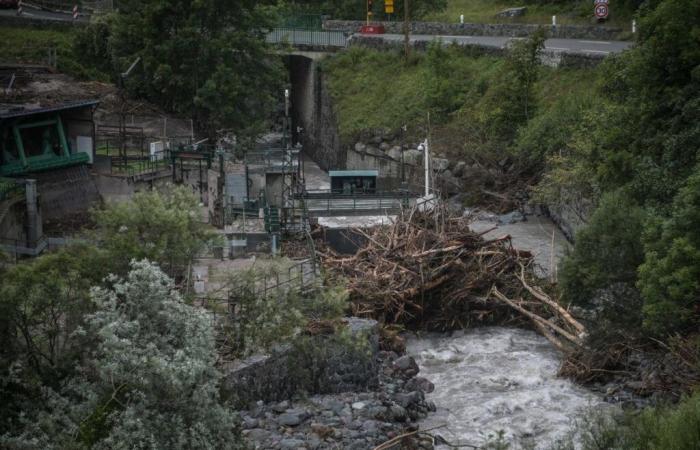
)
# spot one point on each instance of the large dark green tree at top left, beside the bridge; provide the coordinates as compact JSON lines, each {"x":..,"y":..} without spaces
{"x":205,"y":59}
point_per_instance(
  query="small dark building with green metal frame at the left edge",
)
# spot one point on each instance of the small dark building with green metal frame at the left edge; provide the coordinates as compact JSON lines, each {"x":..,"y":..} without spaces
{"x":40,"y":138}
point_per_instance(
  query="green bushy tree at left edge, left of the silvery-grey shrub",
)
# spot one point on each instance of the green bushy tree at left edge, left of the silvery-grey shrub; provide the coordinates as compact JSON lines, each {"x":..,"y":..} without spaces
{"x":42,"y":304}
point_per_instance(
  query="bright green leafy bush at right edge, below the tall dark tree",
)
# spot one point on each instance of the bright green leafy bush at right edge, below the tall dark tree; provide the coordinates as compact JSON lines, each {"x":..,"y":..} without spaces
{"x":669,"y":279}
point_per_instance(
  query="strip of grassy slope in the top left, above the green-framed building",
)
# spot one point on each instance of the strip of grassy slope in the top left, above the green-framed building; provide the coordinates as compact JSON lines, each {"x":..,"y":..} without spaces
{"x":30,"y":46}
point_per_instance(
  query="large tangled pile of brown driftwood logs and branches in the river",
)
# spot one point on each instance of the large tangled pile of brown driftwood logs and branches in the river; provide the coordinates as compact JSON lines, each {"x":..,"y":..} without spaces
{"x":429,"y":270}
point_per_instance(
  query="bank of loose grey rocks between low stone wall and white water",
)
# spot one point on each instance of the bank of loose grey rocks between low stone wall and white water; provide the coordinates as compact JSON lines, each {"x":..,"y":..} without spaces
{"x":351,"y":421}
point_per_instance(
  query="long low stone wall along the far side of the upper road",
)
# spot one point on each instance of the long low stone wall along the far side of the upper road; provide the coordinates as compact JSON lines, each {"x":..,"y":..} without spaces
{"x":483,"y":29}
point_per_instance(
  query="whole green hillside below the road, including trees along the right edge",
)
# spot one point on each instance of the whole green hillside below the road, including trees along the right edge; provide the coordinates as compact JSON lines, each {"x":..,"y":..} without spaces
{"x":624,"y":135}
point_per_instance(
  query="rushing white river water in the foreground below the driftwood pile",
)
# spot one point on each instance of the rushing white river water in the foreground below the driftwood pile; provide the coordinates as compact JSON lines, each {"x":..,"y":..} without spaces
{"x":492,"y":379}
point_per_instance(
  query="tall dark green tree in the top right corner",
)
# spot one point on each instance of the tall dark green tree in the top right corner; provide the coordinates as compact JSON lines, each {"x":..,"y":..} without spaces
{"x":654,"y":139}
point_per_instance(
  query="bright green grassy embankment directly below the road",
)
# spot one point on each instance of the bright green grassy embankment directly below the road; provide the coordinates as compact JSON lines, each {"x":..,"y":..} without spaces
{"x":378,"y":90}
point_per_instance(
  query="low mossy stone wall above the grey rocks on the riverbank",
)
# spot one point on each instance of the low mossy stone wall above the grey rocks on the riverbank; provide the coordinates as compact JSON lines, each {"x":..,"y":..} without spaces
{"x":326,"y":368}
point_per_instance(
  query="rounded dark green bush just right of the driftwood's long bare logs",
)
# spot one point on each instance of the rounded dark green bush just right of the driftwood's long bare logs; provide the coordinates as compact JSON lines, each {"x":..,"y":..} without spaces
{"x":607,"y":251}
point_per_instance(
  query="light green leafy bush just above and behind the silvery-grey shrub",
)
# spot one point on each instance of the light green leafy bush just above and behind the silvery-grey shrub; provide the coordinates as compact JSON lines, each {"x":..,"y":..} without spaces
{"x":163,"y":227}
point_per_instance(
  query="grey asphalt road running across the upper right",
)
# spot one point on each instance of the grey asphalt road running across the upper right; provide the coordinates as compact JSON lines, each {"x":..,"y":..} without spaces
{"x":557,"y":45}
